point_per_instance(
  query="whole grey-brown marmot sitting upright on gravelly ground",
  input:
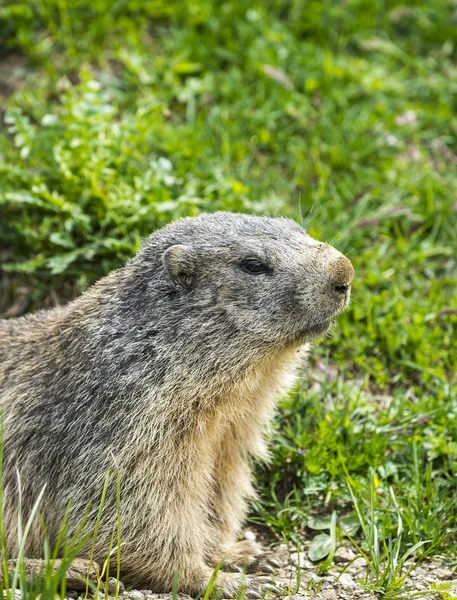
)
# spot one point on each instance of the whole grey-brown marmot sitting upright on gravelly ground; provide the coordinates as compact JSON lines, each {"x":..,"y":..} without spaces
{"x":167,"y":372}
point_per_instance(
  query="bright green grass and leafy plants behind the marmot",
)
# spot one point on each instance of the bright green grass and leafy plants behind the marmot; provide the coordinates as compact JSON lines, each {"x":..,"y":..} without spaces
{"x":341,"y":115}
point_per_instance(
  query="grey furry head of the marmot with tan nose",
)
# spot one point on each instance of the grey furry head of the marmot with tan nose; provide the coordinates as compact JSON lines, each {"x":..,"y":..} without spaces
{"x":264,"y":280}
